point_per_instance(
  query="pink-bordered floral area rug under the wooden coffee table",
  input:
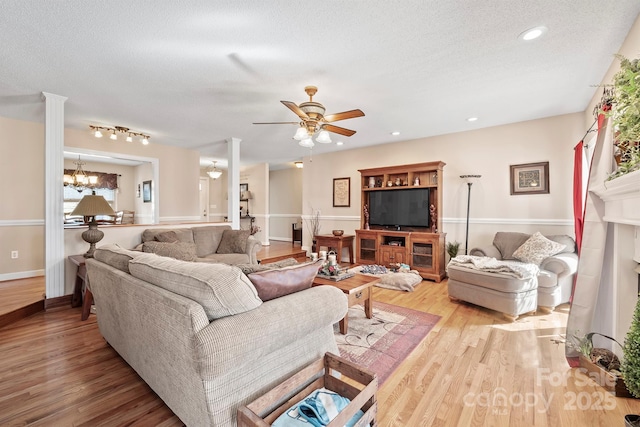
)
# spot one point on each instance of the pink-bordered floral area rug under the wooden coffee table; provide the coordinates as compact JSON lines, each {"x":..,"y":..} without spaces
{"x":383,"y":342}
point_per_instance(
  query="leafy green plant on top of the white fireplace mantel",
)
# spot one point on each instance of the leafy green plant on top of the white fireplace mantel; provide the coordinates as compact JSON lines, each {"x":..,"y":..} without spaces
{"x":625,"y":116}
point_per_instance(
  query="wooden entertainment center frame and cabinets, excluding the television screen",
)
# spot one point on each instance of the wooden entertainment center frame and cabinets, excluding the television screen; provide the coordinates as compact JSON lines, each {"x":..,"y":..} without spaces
{"x":422,"y":248}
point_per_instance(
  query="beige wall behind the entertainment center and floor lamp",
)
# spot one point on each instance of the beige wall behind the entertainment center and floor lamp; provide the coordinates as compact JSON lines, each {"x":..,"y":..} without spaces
{"x":487,"y":152}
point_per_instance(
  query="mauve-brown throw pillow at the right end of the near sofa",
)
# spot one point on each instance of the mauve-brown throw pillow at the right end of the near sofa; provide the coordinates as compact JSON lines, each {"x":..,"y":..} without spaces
{"x":276,"y":283}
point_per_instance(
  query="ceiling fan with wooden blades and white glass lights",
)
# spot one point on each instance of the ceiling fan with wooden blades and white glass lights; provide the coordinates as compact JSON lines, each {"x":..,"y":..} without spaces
{"x":314,"y":121}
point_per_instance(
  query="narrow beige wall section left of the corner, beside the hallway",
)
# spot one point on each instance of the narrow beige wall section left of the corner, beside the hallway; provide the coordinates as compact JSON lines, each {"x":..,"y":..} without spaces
{"x":285,"y":202}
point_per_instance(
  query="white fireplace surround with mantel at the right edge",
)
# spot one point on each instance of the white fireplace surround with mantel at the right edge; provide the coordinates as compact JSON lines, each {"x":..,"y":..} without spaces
{"x":619,"y":281}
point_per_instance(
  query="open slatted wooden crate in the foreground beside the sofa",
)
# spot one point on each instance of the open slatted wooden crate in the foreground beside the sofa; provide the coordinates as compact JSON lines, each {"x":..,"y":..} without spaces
{"x":355,"y":383}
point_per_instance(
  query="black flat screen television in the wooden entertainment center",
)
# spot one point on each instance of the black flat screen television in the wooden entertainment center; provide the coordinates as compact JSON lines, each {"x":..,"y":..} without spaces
{"x":399,"y":208}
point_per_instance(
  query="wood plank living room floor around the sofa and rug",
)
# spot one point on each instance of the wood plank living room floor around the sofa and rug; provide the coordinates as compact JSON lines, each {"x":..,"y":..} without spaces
{"x":473,"y":369}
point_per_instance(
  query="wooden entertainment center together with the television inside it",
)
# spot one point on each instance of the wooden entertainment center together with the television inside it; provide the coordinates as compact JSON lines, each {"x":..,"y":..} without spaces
{"x":420,"y":246}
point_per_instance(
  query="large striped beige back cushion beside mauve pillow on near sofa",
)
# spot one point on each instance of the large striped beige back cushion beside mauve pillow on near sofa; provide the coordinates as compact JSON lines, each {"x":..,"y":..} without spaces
{"x":221,"y":289}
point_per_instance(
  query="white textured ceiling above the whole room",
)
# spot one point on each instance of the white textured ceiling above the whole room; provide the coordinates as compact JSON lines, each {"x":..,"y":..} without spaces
{"x":194,"y":73}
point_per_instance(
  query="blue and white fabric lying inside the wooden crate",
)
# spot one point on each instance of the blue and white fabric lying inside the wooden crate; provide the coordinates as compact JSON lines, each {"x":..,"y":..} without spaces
{"x":317,"y":410}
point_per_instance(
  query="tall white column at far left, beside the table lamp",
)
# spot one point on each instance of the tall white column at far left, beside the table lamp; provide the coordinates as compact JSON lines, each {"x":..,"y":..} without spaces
{"x":54,"y":211}
